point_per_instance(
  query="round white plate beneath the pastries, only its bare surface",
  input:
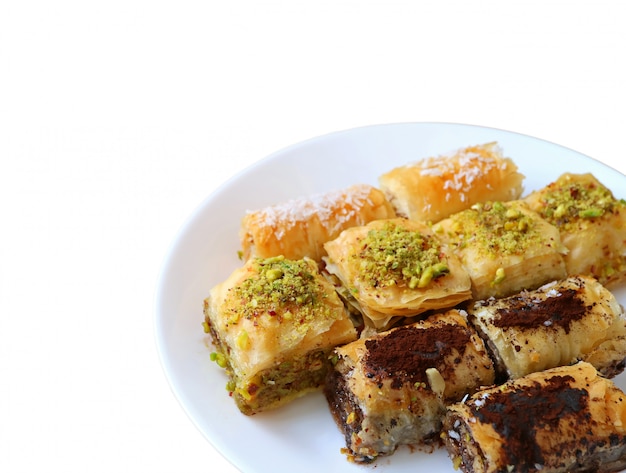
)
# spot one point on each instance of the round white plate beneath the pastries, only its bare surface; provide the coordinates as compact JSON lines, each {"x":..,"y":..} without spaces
{"x":302,"y":436}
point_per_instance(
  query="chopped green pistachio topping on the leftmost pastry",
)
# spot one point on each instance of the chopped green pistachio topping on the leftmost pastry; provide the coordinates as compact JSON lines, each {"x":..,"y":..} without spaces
{"x":280,"y":288}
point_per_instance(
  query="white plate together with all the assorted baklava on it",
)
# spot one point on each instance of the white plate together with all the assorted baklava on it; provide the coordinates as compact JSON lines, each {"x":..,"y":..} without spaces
{"x":372,"y":298}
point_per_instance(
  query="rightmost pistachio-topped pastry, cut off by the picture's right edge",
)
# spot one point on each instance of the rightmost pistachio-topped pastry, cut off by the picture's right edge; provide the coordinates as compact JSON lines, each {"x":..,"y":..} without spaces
{"x":592,"y":223}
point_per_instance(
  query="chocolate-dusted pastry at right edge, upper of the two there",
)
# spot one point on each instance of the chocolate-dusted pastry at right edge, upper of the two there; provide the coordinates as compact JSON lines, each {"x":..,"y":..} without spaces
{"x":558,"y":324}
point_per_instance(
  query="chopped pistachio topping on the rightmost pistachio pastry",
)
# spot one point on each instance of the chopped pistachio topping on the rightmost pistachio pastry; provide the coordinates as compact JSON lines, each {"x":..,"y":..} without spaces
{"x":563,"y":205}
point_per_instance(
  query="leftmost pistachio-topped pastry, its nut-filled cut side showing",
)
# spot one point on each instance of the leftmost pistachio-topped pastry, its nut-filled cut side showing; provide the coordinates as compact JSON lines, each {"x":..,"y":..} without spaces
{"x":273,"y":322}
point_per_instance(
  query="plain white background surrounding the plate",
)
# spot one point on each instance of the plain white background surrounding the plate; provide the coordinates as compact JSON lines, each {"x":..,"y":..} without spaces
{"x":118,"y":118}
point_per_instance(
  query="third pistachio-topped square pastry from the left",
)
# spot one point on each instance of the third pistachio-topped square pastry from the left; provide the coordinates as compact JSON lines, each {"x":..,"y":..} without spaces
{"x":505,"y":247}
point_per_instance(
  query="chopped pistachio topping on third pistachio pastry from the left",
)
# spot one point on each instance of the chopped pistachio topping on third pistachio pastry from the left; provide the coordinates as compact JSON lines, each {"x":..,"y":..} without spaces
{"x":498,"y":228}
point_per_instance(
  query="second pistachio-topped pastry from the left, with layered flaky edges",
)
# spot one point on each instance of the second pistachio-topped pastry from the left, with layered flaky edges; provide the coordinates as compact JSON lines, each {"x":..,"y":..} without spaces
{"x":396,"y":268}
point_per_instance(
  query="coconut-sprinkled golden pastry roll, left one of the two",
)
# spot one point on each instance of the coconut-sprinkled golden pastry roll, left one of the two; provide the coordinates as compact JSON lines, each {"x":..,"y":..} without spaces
{"x":299,"y":228}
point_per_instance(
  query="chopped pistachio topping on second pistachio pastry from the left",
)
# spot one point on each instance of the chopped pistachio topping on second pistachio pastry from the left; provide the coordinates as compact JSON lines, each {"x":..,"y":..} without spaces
{"x":394,"y":255}
